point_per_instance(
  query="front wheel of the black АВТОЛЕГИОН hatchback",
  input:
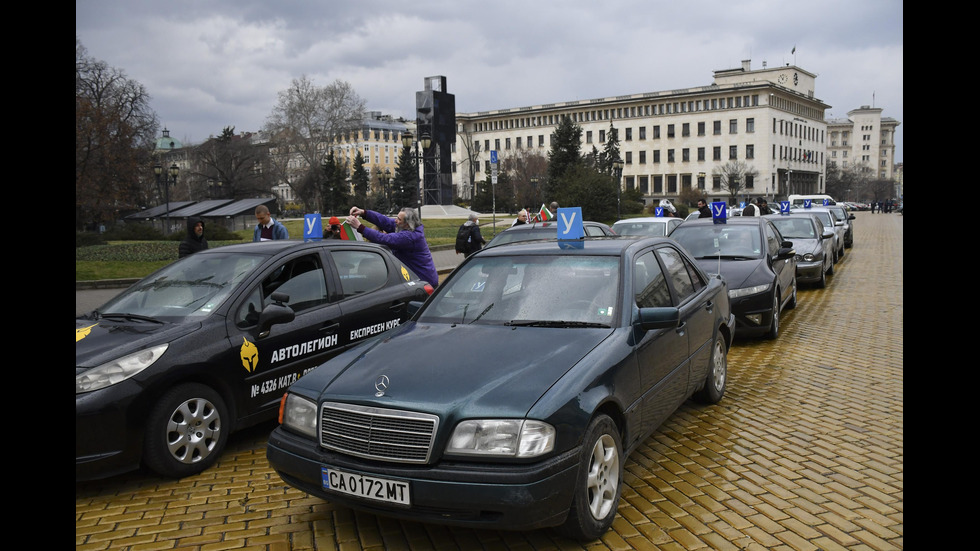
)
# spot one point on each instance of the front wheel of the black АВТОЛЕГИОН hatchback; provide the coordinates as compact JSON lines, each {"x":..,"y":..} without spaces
{"x":186,"y":431}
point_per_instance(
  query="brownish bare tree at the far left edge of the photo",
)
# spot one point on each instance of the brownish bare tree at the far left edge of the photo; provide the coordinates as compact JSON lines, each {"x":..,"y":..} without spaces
{"x":114,"y":131}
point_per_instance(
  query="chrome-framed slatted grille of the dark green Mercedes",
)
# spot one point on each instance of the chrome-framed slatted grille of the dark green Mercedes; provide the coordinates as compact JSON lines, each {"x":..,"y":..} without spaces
{"x":377,"y":433}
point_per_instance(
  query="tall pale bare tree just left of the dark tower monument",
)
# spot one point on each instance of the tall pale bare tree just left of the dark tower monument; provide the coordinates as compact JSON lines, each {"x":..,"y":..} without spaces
{"x":304,"y":124}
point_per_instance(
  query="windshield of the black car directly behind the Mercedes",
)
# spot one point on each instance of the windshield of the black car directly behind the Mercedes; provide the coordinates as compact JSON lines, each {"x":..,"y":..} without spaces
{"x":726,"y":240}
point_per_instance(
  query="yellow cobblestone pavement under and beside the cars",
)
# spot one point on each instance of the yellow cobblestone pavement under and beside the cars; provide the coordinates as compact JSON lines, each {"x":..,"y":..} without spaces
{"x":804,"y":452}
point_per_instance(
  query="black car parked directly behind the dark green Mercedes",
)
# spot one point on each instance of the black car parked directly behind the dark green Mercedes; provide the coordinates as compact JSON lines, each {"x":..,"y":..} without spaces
{"x":756,"y":261}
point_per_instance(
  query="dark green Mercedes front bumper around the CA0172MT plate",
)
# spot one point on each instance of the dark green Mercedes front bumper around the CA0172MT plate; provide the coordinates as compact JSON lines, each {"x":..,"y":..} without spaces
{"x":476,"y":495}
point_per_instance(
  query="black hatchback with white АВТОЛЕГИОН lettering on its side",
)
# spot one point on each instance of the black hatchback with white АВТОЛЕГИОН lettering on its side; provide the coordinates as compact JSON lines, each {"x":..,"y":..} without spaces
{"x":209,"y":344}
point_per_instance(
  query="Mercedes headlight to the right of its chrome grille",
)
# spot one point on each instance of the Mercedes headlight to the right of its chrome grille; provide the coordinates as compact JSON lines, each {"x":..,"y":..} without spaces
{"x":502,"y":437}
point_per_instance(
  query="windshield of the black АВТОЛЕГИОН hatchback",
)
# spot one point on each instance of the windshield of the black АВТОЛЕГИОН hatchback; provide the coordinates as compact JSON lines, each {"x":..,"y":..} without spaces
{"x":192,"y":287}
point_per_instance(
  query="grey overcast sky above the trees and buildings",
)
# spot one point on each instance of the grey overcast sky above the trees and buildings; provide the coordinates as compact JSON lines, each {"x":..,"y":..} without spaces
{"x":208,"y":64}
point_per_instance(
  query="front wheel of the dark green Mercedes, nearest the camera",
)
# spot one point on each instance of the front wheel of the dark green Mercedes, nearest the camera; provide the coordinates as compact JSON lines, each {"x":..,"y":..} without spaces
{"x":598,"y":484}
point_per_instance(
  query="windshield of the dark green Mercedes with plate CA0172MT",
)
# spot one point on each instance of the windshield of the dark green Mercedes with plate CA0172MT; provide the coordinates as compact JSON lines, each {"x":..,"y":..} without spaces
{"x":549,"y":290}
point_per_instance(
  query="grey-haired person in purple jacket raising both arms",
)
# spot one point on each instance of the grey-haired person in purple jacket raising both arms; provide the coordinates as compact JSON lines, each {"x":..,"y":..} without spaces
{"x":404,"y":235}
